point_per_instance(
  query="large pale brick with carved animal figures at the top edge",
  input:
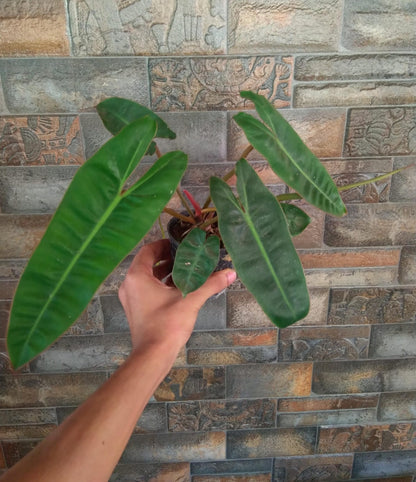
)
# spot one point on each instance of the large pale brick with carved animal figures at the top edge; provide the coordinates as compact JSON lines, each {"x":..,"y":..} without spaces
{"x":102,"y":27}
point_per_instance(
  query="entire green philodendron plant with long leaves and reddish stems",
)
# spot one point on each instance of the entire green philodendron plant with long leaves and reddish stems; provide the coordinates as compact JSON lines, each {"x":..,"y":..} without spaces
{"x":102,"y":217}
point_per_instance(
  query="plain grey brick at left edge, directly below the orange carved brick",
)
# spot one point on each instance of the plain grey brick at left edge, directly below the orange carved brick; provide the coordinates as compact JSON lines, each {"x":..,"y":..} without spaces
{"x":33,"y":189}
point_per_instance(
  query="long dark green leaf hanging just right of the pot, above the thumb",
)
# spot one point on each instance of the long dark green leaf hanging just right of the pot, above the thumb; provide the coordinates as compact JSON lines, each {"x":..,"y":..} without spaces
{"x":256,"y":236}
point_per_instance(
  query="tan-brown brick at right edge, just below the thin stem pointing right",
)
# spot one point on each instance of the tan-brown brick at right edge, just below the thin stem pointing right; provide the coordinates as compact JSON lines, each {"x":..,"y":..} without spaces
{"x":383,"y":224}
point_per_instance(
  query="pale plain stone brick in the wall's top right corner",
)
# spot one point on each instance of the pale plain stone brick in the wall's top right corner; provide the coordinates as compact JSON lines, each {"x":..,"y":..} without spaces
{"x":379,"y":26}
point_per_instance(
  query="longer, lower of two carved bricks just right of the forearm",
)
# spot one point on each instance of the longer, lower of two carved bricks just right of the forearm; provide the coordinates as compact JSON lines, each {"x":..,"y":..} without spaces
{"x":221,"y":415}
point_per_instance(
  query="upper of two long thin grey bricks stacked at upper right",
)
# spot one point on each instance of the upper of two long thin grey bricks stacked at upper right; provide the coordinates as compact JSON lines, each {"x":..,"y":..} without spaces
{"x":355,"y":67}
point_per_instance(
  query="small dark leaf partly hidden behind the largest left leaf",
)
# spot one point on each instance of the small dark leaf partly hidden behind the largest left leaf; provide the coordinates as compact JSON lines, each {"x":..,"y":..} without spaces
{"x":117,"y":112}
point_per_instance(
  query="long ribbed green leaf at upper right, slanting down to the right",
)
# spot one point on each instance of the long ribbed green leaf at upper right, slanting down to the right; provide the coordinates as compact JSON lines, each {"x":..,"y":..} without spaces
{"x":288,"y":156}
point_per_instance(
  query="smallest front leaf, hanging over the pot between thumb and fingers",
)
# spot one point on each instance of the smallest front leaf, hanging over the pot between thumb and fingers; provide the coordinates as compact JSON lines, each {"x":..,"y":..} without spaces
{"x":196,"y":258}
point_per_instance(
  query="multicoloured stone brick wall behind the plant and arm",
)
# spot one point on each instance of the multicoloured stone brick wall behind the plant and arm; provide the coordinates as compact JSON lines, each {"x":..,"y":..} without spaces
{"x":330,"y":398}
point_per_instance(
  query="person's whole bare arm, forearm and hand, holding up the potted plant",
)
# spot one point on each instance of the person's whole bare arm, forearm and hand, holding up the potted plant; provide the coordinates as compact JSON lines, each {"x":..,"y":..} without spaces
{"x":89,"y":443}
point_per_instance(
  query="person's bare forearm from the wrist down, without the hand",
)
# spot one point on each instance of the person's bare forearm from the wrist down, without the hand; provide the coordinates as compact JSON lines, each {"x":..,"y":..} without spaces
{"x":88,"y":445}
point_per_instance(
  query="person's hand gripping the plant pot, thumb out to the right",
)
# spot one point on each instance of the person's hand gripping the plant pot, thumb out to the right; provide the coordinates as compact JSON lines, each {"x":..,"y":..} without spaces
{"x":157,"y":312}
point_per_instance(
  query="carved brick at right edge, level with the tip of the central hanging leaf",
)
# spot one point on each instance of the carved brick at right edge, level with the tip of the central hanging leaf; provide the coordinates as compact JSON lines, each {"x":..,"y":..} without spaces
{"x":372,"y":306}
